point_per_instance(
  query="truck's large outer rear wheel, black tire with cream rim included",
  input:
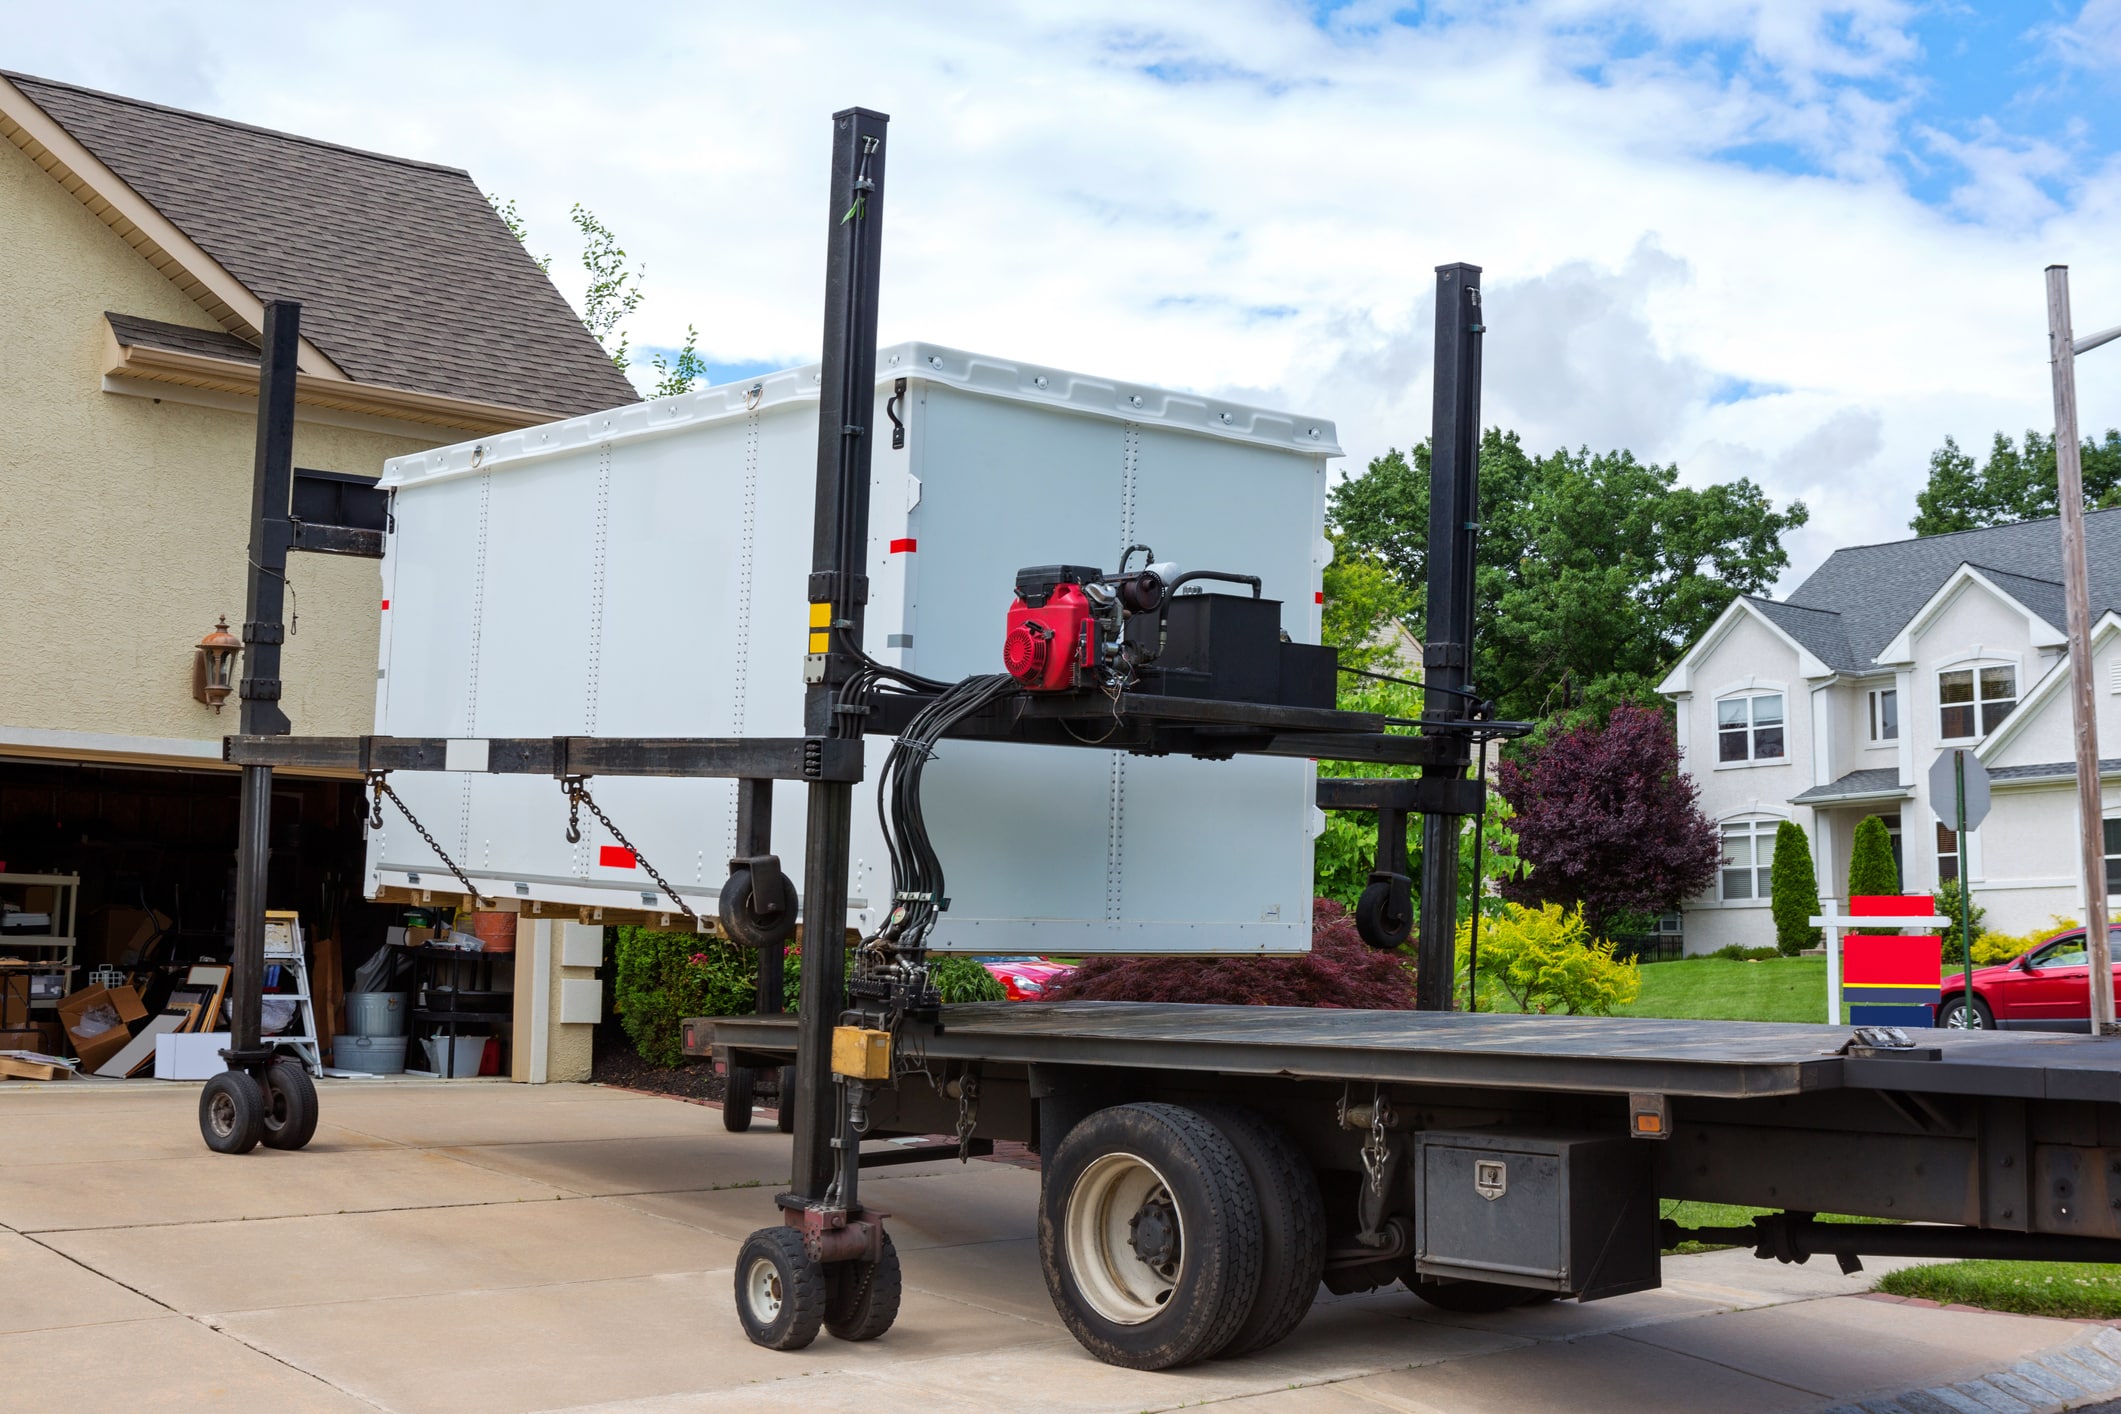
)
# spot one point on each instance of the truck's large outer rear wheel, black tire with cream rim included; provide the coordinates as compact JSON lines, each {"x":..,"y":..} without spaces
{"x":1151,"y":1237}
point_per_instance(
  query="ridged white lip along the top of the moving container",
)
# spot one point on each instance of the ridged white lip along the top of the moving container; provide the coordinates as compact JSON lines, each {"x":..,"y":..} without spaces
{"x":932,"y":364}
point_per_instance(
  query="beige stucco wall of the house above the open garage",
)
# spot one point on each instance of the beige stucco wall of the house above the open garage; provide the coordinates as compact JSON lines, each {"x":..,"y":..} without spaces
{"x":158,"y":487}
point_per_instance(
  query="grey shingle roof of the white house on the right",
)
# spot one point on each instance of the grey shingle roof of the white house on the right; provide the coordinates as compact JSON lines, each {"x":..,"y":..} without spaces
{"x":1878,"y":588}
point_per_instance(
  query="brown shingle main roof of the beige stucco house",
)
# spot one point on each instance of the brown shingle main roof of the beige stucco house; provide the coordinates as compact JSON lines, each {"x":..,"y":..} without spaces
{"x":406,"y":275}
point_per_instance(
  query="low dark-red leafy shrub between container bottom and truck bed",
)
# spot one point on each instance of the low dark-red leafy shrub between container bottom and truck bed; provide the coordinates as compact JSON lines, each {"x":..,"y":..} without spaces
{"x":1339,"y":972}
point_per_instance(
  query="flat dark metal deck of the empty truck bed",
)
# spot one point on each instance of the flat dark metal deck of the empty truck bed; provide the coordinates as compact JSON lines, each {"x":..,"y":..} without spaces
{"x":1452,"y":1048}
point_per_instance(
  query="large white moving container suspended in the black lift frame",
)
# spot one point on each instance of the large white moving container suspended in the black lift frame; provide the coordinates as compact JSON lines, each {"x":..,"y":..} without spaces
{"x":644,"y":573}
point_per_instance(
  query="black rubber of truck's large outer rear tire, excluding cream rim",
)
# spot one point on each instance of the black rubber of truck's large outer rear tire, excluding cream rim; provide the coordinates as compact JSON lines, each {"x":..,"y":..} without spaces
{"x":1221,"y":1267}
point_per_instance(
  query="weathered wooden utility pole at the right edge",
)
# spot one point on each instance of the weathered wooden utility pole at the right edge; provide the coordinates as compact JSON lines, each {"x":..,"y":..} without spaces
{"x":2078,"y":597}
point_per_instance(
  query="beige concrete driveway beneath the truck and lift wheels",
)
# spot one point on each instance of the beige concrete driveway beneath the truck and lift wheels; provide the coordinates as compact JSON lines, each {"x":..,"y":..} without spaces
{"x":506,"y":1248}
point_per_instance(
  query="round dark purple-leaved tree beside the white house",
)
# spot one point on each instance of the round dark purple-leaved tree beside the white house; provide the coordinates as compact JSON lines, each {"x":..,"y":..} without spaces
{"x":1609,"y":821}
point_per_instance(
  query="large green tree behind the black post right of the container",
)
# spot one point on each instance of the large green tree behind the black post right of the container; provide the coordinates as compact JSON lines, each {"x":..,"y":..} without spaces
{"x":1594,"y":571}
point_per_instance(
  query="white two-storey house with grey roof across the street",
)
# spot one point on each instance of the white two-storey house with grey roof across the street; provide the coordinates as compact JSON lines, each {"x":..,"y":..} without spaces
{"x":1834,"y":705}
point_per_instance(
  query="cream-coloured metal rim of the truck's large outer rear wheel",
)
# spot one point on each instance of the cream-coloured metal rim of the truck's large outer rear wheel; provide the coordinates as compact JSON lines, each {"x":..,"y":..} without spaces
{"x":1102,"y":1229}
